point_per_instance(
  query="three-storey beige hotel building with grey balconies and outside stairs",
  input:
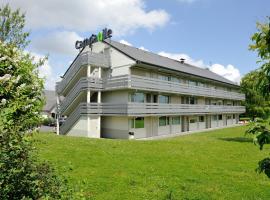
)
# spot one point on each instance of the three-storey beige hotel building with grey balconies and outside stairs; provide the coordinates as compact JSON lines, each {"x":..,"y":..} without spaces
{"x":113,"y":90}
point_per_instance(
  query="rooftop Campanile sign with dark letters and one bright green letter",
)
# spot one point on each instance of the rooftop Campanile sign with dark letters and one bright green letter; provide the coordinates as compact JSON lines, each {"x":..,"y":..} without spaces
{"x":104,"y":34}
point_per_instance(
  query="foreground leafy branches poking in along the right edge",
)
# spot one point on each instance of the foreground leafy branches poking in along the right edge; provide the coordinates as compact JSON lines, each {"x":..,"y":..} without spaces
{"x":261,"y":44}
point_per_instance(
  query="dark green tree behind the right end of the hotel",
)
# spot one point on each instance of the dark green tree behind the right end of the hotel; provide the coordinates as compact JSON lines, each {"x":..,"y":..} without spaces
{"x":256,"y":104}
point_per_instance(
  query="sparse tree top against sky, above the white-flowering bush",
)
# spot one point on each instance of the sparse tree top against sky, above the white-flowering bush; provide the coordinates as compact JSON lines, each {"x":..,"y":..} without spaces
{"x":11,"y":27}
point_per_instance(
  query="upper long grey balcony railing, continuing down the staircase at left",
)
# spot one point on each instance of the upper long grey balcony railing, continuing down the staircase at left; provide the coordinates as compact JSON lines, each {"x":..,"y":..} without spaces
{"x":150,"y":84}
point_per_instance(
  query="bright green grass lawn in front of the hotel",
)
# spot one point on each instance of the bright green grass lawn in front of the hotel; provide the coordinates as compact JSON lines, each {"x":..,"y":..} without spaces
{"x":218,"y":164}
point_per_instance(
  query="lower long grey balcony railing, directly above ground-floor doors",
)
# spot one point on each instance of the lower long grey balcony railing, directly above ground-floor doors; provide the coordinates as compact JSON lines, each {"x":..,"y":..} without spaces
{"x":136,"y":109}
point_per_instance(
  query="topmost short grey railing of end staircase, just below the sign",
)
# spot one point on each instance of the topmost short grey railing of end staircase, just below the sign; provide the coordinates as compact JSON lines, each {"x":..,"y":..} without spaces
{"x":86,"y":58}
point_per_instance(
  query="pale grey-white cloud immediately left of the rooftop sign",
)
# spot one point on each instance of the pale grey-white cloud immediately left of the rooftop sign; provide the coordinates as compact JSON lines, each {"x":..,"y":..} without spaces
{"x":61,"y":42}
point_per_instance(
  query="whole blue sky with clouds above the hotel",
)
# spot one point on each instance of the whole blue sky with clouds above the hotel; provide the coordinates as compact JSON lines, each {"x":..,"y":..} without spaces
{"x":208,"y":33}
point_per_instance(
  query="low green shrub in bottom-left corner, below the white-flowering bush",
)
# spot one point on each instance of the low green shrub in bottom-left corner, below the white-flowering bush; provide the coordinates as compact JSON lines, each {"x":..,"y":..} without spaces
{"x":22,"y":175}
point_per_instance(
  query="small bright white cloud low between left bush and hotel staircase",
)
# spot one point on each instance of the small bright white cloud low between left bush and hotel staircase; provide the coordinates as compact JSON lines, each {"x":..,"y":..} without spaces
{"x":46,"y":72}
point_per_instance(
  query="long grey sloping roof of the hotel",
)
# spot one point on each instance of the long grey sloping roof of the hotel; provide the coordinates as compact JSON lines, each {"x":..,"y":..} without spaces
{"x":165,"y":62}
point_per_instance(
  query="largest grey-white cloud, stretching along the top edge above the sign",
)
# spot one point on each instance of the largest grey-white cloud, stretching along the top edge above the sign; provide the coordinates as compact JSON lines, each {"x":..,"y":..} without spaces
{"x":123,"y":16}
